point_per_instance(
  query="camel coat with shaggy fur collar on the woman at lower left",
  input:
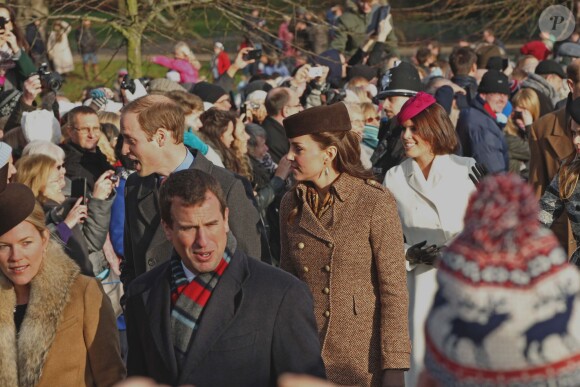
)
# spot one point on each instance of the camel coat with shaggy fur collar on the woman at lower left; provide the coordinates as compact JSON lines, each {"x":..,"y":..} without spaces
{"x":68,"y":336}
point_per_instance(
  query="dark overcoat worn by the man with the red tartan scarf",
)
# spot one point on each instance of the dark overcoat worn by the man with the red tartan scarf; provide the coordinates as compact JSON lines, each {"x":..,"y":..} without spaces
{"x":258,"y":324}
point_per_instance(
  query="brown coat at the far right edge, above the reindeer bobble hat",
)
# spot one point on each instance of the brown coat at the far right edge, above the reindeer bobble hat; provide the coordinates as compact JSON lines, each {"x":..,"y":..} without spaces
{"x":550,"y":143}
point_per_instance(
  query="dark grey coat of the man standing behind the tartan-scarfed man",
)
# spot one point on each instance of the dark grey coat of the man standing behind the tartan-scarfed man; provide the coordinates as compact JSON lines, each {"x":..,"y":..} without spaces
{"x":145,"y":244}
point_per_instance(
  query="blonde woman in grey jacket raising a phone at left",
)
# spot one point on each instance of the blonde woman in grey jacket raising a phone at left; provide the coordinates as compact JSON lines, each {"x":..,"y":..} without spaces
{"x":81,"y":223}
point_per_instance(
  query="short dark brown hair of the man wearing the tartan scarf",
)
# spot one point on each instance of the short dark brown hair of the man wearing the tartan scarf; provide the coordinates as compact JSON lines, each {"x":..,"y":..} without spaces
{"x":191,"y":186}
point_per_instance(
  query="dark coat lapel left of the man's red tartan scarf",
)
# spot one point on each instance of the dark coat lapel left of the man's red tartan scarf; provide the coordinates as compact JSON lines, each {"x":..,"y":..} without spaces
{"x":157,"y":301}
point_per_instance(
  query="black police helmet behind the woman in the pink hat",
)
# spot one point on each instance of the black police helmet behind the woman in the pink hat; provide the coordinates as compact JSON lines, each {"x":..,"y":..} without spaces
{"x":401,"y":80}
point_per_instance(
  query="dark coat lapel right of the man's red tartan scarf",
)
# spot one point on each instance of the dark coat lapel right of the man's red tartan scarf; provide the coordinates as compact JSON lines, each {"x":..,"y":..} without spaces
{"x":218,"y":314}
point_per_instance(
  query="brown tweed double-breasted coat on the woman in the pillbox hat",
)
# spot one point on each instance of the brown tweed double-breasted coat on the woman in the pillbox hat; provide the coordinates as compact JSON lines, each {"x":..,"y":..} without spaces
{"x":353,"y":261}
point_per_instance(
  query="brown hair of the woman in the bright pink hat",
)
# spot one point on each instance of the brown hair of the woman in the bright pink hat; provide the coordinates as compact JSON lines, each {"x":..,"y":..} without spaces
{"x":434,"y":126}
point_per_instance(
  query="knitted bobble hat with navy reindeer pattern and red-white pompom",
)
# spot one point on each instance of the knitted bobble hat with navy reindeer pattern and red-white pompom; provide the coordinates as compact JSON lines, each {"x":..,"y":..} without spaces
{"x":507,"y":310}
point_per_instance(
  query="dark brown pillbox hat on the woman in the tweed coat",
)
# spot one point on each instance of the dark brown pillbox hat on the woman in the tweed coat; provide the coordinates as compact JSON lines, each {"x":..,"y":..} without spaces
{"x":326,"y":118}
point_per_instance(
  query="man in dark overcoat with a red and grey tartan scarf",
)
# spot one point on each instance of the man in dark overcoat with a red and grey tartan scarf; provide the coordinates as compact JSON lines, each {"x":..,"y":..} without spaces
{"x":212,"y":316}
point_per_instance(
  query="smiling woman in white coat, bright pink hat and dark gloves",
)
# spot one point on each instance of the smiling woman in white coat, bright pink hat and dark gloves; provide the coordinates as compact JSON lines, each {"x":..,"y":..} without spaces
{"x":432,"y":188}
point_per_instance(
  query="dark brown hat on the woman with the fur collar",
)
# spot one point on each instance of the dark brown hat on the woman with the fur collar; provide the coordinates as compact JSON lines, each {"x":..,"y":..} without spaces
{"x":16,"y":202}
